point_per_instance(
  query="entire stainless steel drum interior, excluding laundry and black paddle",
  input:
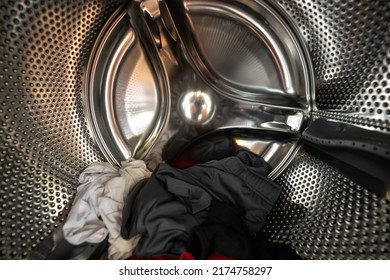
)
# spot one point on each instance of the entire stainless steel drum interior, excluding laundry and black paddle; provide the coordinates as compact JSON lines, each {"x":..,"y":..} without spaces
{"x":71,"y":74}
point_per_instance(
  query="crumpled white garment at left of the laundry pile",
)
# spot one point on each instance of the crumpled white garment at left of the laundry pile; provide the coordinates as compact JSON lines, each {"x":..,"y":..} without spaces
{"x":97,"y":208}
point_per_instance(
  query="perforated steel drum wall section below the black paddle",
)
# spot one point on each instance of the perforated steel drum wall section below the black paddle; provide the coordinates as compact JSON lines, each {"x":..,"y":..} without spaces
{"x":324,"y":215}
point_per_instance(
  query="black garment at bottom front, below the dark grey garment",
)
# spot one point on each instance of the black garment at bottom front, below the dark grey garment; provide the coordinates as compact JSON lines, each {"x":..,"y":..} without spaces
{"x":222,"y":232}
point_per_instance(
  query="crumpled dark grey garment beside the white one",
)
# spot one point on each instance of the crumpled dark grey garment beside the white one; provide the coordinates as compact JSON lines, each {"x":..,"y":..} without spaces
{"x":173,"y":201}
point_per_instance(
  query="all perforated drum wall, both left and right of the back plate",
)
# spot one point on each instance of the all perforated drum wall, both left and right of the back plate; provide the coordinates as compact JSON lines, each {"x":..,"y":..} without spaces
{"x":45,"y":143}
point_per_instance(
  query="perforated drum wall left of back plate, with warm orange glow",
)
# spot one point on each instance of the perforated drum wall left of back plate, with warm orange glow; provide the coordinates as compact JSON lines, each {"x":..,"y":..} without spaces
{"x":44,"y":142}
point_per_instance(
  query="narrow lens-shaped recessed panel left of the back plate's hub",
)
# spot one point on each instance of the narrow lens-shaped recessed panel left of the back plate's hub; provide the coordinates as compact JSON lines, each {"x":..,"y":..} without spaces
{"x":123,"y":107}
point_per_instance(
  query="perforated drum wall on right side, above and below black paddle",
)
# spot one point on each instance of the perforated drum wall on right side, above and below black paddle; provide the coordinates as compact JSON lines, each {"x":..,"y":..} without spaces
{"x":322,"y":213}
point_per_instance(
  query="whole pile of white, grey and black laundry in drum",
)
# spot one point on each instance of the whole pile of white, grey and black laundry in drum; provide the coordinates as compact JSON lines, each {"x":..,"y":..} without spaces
{"x":210,"y":210}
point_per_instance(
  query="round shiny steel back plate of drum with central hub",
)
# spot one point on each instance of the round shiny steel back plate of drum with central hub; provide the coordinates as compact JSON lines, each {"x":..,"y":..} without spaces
{"x":263,"y":83}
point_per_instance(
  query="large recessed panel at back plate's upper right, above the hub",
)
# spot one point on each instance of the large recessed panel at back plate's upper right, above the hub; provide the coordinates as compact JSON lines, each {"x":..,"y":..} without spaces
{"x":247,"y":53}
